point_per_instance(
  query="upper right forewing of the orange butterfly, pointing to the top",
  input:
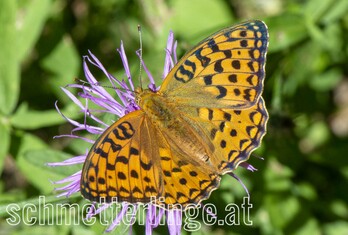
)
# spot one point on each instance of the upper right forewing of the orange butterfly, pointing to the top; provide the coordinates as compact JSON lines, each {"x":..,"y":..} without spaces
{"x":226,"y":70}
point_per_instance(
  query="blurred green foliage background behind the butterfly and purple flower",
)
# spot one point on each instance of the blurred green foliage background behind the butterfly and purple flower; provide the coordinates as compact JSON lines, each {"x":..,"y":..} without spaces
{"x":300,"y":187}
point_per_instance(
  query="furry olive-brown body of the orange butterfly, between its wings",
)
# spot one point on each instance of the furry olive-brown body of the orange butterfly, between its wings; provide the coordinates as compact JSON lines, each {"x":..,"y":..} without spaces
{"x":164,"y":115}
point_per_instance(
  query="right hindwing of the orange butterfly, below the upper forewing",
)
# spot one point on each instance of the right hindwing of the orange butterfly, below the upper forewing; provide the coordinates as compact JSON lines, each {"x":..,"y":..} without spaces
{"x":233,"y":133}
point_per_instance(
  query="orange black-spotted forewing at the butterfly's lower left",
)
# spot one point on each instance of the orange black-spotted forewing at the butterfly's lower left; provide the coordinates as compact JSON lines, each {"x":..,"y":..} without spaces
{"x":123,"y":163}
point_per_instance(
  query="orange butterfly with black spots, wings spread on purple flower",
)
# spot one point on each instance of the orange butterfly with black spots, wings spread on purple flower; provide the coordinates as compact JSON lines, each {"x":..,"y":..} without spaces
{"x":205,"y":120}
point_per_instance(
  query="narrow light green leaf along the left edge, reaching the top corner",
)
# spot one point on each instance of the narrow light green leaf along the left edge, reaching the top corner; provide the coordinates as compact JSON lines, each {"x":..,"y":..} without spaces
{"x":9,"y":63}
